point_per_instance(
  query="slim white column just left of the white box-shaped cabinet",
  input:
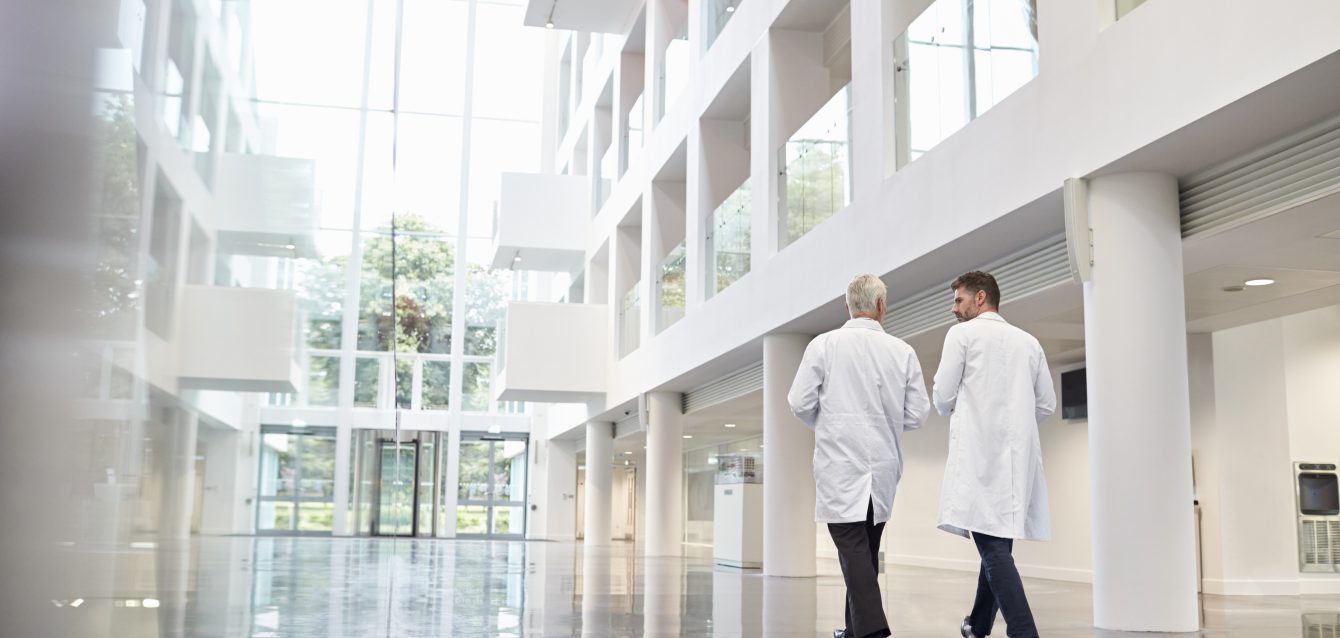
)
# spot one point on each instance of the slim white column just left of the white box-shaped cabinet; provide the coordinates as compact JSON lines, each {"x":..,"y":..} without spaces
{"x":665,"y":475}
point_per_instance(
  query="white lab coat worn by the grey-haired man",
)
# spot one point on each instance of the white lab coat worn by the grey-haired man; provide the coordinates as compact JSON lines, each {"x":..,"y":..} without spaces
{"x":860,"y":389}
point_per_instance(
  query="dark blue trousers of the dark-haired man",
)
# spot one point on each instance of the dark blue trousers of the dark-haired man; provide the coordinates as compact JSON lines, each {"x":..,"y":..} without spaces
{"x":999,"y":588}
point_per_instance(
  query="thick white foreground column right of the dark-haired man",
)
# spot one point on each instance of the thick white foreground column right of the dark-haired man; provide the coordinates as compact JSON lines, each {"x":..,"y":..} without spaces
{"x":1140,"y":408}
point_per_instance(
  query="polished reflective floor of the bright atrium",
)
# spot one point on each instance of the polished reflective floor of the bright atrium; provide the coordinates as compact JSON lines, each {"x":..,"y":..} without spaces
{"x":381,"y":588}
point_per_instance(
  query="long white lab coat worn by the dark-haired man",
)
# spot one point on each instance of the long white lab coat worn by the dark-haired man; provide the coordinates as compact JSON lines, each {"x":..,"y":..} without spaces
{"x":995,"y":383}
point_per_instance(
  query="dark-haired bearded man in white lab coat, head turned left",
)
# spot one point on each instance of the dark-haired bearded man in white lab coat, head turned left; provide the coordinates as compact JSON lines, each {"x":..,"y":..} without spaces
{"x":995,"y":384}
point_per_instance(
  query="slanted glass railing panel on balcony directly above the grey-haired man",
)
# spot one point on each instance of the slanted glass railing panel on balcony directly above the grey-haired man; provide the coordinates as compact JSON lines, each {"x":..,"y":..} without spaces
{"x":818,"y":170}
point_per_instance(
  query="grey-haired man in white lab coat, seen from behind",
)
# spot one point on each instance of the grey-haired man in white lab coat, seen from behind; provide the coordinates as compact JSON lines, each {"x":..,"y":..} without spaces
{"x":860,"y":389}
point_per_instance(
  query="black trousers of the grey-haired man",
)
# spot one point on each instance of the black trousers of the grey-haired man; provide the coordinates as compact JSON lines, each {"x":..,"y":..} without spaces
{"x":858,"y":550}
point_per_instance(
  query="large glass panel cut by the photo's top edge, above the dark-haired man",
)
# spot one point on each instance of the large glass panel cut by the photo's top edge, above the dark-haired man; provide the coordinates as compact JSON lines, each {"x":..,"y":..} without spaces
{"x":955,"y":62}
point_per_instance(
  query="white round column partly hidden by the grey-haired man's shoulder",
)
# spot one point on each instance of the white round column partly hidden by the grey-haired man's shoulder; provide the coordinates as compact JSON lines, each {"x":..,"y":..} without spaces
{"x":789,"y":486}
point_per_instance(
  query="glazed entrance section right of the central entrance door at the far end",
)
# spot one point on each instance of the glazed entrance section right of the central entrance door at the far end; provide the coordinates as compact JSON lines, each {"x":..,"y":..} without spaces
{"x":491,"y":501}
